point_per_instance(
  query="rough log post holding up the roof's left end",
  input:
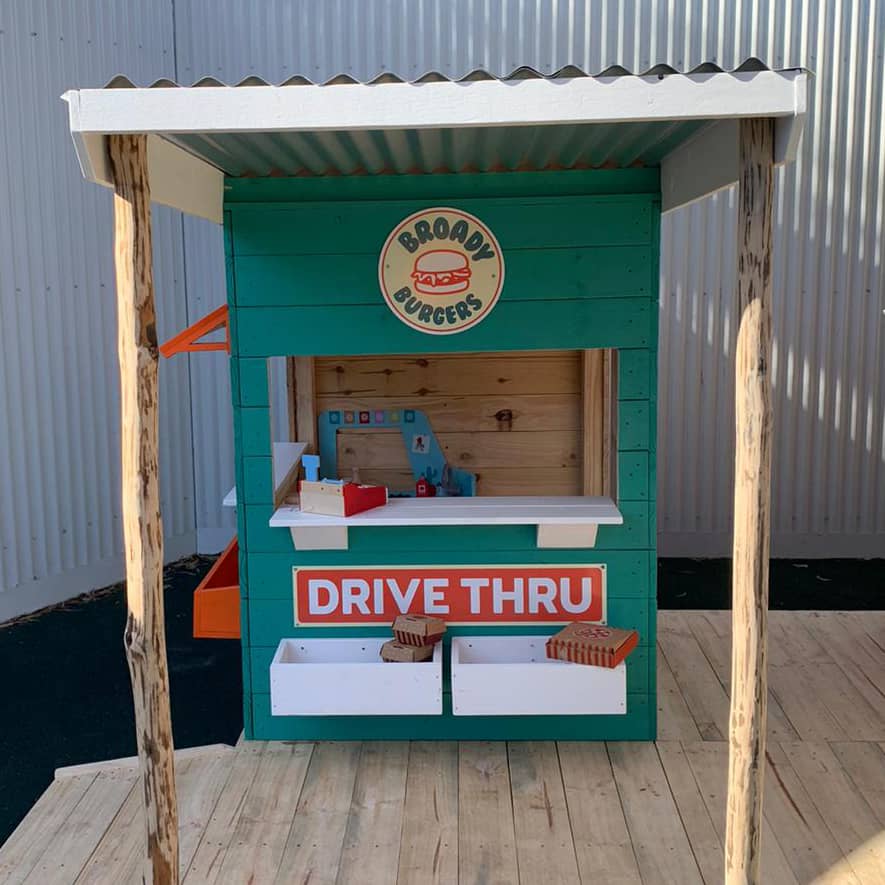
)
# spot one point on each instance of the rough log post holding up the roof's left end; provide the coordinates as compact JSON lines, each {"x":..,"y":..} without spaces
{"x":144,"y":636}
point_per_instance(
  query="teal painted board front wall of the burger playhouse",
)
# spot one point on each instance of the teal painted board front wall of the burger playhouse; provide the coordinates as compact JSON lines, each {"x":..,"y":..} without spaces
{"x":581,"y":253}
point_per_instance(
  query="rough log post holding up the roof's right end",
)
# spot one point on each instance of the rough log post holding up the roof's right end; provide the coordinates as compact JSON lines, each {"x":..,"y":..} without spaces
{"x":752,"y":497}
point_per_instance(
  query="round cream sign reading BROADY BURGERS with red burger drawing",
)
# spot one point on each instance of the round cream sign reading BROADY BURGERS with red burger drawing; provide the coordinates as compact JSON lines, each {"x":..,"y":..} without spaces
{"x":441,"y":271}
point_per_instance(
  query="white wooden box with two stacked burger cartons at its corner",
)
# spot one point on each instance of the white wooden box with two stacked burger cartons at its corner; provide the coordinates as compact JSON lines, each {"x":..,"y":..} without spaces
{"x":346,"y":677}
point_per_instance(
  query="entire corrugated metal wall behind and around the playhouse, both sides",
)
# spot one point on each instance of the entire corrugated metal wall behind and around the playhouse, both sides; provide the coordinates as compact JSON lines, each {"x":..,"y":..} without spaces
{"x":59,"y":509}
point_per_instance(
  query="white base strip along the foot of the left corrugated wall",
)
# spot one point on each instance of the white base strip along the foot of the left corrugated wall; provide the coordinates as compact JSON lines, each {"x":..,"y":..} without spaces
{"x":25,"y":598}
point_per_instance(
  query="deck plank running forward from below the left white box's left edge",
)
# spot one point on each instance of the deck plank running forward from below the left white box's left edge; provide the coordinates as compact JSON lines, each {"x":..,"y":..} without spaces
{"x":266,"y":816}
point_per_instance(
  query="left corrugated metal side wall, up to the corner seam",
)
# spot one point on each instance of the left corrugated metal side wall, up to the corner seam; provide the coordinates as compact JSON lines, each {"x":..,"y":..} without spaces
{"x":59,"y":440}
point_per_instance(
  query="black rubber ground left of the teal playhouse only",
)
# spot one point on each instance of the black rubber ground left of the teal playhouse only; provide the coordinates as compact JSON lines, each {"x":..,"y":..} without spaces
{"x":66,"y":696}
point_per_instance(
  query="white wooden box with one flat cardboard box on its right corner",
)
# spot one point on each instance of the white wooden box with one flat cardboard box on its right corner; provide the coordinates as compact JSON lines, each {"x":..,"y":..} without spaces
{"x":512,"y":676}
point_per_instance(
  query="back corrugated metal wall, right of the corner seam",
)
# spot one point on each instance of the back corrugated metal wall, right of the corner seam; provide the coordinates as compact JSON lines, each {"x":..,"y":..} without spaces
{"x":829,"y":365}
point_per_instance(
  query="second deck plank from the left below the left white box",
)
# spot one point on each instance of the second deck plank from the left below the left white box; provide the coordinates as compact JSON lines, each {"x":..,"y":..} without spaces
{"x":313,"y":849}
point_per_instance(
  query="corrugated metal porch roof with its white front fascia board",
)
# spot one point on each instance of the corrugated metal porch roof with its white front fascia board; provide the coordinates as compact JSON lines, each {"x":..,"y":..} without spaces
{"x":289,"y":142}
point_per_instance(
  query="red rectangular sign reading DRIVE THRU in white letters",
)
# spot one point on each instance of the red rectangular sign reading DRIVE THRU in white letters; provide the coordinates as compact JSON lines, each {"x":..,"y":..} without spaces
{"x":487,"y":594}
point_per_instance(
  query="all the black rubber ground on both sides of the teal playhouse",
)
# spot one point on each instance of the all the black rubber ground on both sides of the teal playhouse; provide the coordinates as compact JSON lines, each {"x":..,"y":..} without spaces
{"x":66,"y":697}
